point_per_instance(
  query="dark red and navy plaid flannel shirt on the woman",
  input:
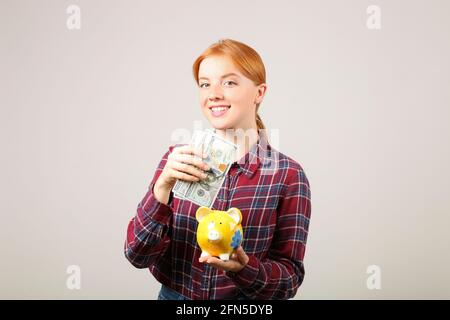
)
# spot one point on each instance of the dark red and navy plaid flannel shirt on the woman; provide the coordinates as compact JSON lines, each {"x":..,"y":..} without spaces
{"x":273,"y":194}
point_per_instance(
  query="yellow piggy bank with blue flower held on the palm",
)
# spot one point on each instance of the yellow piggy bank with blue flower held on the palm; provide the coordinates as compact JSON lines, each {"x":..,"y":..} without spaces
{"x":219,"y":232}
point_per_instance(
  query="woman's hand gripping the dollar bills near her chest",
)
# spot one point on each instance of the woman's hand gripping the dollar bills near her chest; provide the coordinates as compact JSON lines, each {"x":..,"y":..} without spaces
{"x":181,"y":164}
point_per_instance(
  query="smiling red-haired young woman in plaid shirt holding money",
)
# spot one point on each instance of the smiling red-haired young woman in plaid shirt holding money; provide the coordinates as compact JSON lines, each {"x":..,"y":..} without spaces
{"x":269,"y":188}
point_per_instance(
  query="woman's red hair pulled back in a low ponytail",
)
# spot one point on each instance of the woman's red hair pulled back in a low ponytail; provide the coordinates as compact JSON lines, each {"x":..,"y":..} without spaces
{"x":245,"y":58}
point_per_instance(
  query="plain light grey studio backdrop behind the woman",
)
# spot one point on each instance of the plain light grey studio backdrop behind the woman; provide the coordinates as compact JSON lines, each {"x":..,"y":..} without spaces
{"x":87,"y":114}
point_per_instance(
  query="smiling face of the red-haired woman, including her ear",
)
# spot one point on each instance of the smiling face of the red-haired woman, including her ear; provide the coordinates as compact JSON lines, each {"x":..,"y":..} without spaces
{"x":228,"y":99}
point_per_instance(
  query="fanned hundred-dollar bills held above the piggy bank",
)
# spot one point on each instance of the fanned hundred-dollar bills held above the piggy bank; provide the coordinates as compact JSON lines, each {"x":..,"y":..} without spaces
{"x":220,"y":156}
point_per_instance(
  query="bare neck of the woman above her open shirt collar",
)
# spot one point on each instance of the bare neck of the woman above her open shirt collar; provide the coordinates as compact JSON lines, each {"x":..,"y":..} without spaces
{"x":244,"y":139}
